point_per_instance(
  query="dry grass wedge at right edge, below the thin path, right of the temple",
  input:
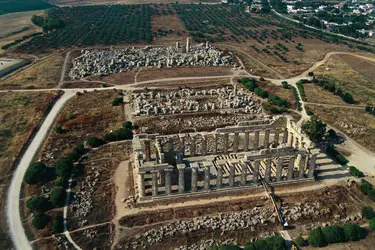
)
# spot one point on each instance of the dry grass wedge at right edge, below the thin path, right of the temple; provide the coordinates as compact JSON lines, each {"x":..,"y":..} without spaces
{"x":356,"y":123}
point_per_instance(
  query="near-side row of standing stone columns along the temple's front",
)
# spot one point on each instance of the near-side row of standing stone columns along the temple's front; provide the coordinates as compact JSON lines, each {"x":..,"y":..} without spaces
{"x":301,"y":160}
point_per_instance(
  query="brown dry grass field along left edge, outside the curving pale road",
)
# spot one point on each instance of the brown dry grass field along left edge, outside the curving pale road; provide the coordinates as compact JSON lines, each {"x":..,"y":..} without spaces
{"x":20,"y":114}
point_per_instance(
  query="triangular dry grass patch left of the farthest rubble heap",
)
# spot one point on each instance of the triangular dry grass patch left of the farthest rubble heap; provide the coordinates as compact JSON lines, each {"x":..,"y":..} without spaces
{"x":43,"y":74}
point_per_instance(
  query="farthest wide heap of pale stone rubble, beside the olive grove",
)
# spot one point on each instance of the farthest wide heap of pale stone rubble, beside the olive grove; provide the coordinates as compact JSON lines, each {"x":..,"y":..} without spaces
{"x":105,"y":62}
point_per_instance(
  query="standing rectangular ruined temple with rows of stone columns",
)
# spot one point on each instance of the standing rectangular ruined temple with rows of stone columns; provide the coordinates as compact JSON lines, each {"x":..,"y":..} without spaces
{"x":273,"y":151}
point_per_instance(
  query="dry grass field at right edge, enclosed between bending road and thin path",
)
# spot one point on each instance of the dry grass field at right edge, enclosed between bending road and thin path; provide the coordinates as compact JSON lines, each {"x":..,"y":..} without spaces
{"x":352,"y":74}
